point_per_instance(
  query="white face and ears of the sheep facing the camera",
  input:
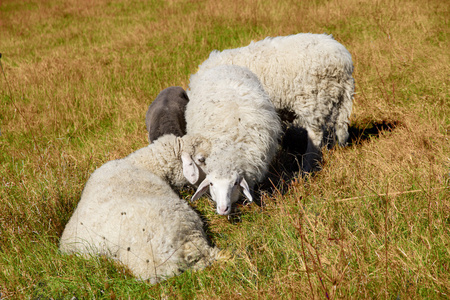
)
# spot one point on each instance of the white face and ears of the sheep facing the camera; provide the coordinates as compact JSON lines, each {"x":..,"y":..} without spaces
{"x":224,"y":190}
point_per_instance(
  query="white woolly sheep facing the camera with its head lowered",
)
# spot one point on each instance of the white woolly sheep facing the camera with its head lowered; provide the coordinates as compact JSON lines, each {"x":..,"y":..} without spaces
{"x":229,"y":107}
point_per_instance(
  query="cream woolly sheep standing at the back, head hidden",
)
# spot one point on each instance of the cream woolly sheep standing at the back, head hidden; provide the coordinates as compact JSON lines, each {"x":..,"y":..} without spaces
{"x":309,"y":74}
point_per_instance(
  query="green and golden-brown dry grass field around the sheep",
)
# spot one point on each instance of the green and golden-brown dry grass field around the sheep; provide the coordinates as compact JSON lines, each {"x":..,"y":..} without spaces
{"x":78,"y":77}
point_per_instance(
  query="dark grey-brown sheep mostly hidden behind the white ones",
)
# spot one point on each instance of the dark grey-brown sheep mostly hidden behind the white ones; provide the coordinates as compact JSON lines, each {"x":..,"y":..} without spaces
{"x":166,"y":113}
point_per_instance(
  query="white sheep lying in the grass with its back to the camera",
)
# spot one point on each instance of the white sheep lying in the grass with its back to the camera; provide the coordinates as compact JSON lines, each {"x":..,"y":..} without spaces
{"x":128,"y":211}
